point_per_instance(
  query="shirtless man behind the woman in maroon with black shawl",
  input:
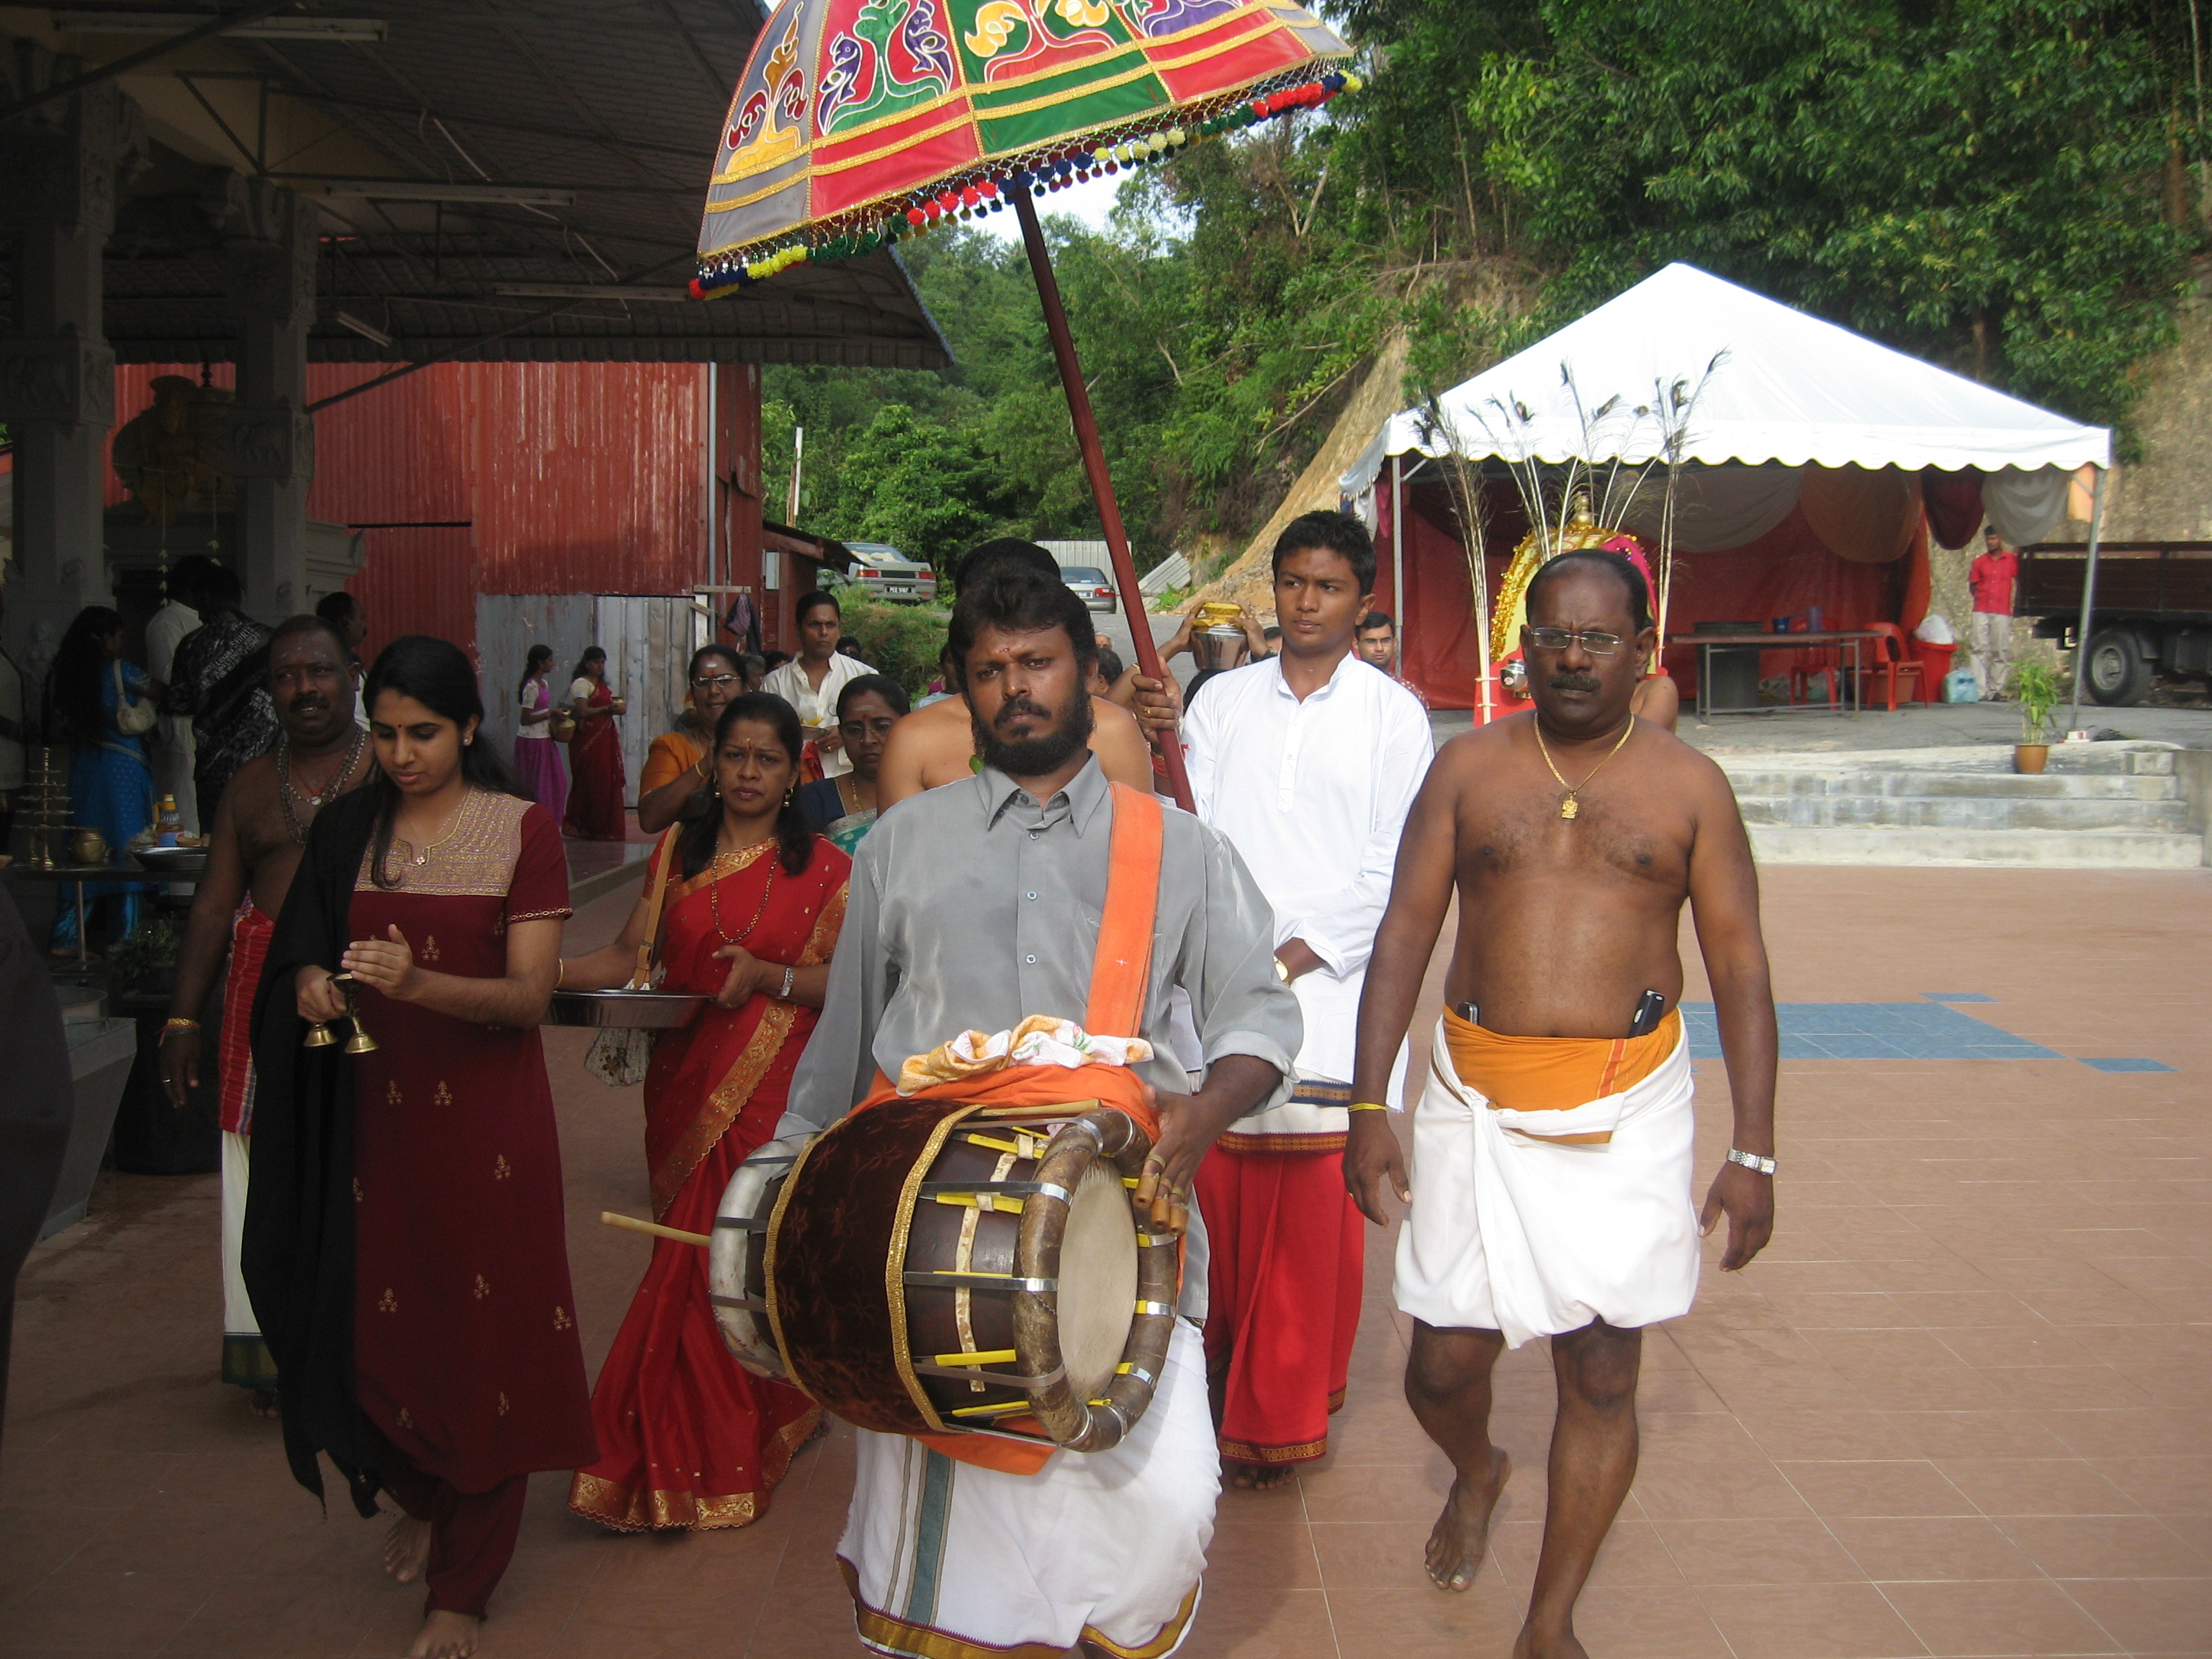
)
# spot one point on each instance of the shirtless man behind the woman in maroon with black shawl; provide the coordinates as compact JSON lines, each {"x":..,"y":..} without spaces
{"x":253,"y":851}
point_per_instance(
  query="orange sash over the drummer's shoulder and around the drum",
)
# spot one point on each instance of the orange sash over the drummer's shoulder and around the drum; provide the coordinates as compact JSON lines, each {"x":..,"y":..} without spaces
{"x":1118,"y":985}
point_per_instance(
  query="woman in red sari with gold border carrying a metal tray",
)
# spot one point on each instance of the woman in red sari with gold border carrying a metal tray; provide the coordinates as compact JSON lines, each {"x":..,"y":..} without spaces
{"x":753,"y":910}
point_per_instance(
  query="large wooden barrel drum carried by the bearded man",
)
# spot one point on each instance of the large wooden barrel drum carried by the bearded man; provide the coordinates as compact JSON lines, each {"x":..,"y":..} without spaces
{"x":930,"y":1269}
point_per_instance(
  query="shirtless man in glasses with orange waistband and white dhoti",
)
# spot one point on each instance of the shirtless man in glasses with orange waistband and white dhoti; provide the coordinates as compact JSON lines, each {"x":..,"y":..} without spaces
{"x":1574,"y":835}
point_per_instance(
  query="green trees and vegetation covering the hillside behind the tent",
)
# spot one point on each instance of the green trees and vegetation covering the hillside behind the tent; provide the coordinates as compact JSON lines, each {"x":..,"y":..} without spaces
{"x":2005,"y":187}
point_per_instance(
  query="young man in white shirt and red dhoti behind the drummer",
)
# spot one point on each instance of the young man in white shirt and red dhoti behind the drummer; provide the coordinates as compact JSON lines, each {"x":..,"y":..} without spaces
{"x":1308,"y":762}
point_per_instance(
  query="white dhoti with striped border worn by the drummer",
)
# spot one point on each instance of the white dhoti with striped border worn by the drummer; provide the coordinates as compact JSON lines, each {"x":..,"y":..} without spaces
{"x":959,"y":1563}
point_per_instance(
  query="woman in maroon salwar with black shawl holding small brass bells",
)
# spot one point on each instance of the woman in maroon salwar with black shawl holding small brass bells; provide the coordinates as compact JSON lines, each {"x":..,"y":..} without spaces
{"x":444,"y":899}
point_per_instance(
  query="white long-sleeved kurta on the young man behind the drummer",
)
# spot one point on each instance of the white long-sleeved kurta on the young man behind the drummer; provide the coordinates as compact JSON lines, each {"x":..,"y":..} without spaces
{"x":1315,"y":795}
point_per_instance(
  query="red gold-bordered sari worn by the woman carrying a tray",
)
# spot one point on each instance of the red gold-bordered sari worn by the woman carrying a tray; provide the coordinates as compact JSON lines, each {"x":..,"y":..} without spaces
{"x":689,"y":1437}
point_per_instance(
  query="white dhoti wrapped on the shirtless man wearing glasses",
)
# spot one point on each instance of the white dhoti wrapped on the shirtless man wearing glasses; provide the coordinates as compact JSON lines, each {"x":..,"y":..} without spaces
{"x":1536,"y":1238}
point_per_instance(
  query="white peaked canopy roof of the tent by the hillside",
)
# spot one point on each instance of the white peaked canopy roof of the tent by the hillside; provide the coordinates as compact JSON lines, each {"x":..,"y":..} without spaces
{"x":1746,"y":393}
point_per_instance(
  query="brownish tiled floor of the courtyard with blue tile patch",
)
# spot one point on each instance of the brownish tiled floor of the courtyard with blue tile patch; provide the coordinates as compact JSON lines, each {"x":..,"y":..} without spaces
{"x":1959,"y":1408}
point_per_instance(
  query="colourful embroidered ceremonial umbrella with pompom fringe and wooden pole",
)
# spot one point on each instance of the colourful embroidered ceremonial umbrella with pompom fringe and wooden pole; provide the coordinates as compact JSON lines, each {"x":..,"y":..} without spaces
{"x":862,"y":123}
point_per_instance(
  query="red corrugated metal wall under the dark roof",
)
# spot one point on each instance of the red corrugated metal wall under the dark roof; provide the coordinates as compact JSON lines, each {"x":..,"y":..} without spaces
{"x":505,"y":479}
